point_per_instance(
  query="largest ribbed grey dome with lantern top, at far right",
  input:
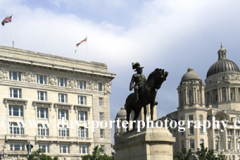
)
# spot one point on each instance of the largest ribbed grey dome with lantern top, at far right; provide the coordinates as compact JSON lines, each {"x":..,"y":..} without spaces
{"x":223,"y":64}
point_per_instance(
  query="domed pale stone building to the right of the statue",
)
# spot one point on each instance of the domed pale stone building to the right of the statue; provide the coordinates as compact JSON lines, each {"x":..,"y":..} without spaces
{"x":219,"y":98}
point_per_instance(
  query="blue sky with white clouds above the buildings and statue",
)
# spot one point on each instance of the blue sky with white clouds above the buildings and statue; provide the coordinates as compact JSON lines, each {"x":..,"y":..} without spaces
{"x":168,"y":34}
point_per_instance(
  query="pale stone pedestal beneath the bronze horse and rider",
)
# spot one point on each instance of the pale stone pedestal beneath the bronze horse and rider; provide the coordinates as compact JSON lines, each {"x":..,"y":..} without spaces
{"x":149,"y":144}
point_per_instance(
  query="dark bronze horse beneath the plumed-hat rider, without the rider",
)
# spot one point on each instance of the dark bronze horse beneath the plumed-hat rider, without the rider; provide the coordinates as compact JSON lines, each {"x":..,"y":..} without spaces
{"x":147,"y":95}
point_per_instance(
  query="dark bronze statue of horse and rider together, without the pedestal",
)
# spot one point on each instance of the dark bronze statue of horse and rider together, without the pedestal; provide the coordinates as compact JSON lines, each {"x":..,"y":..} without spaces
{"x":145,"y":91}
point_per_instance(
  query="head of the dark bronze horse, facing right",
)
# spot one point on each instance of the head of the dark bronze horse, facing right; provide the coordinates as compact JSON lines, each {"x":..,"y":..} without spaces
{"x":160,"y":77}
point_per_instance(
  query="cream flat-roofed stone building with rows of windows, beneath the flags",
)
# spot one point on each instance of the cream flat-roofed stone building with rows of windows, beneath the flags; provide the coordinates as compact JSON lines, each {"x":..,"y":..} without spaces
{"x":54,"y":91}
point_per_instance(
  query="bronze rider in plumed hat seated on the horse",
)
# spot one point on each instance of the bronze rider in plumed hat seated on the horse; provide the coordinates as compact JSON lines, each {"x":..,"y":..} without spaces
{"x":138,"y":78}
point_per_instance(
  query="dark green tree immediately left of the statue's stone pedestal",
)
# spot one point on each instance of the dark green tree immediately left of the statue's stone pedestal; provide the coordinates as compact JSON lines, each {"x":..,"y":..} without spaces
{"x":97,"y":154}
